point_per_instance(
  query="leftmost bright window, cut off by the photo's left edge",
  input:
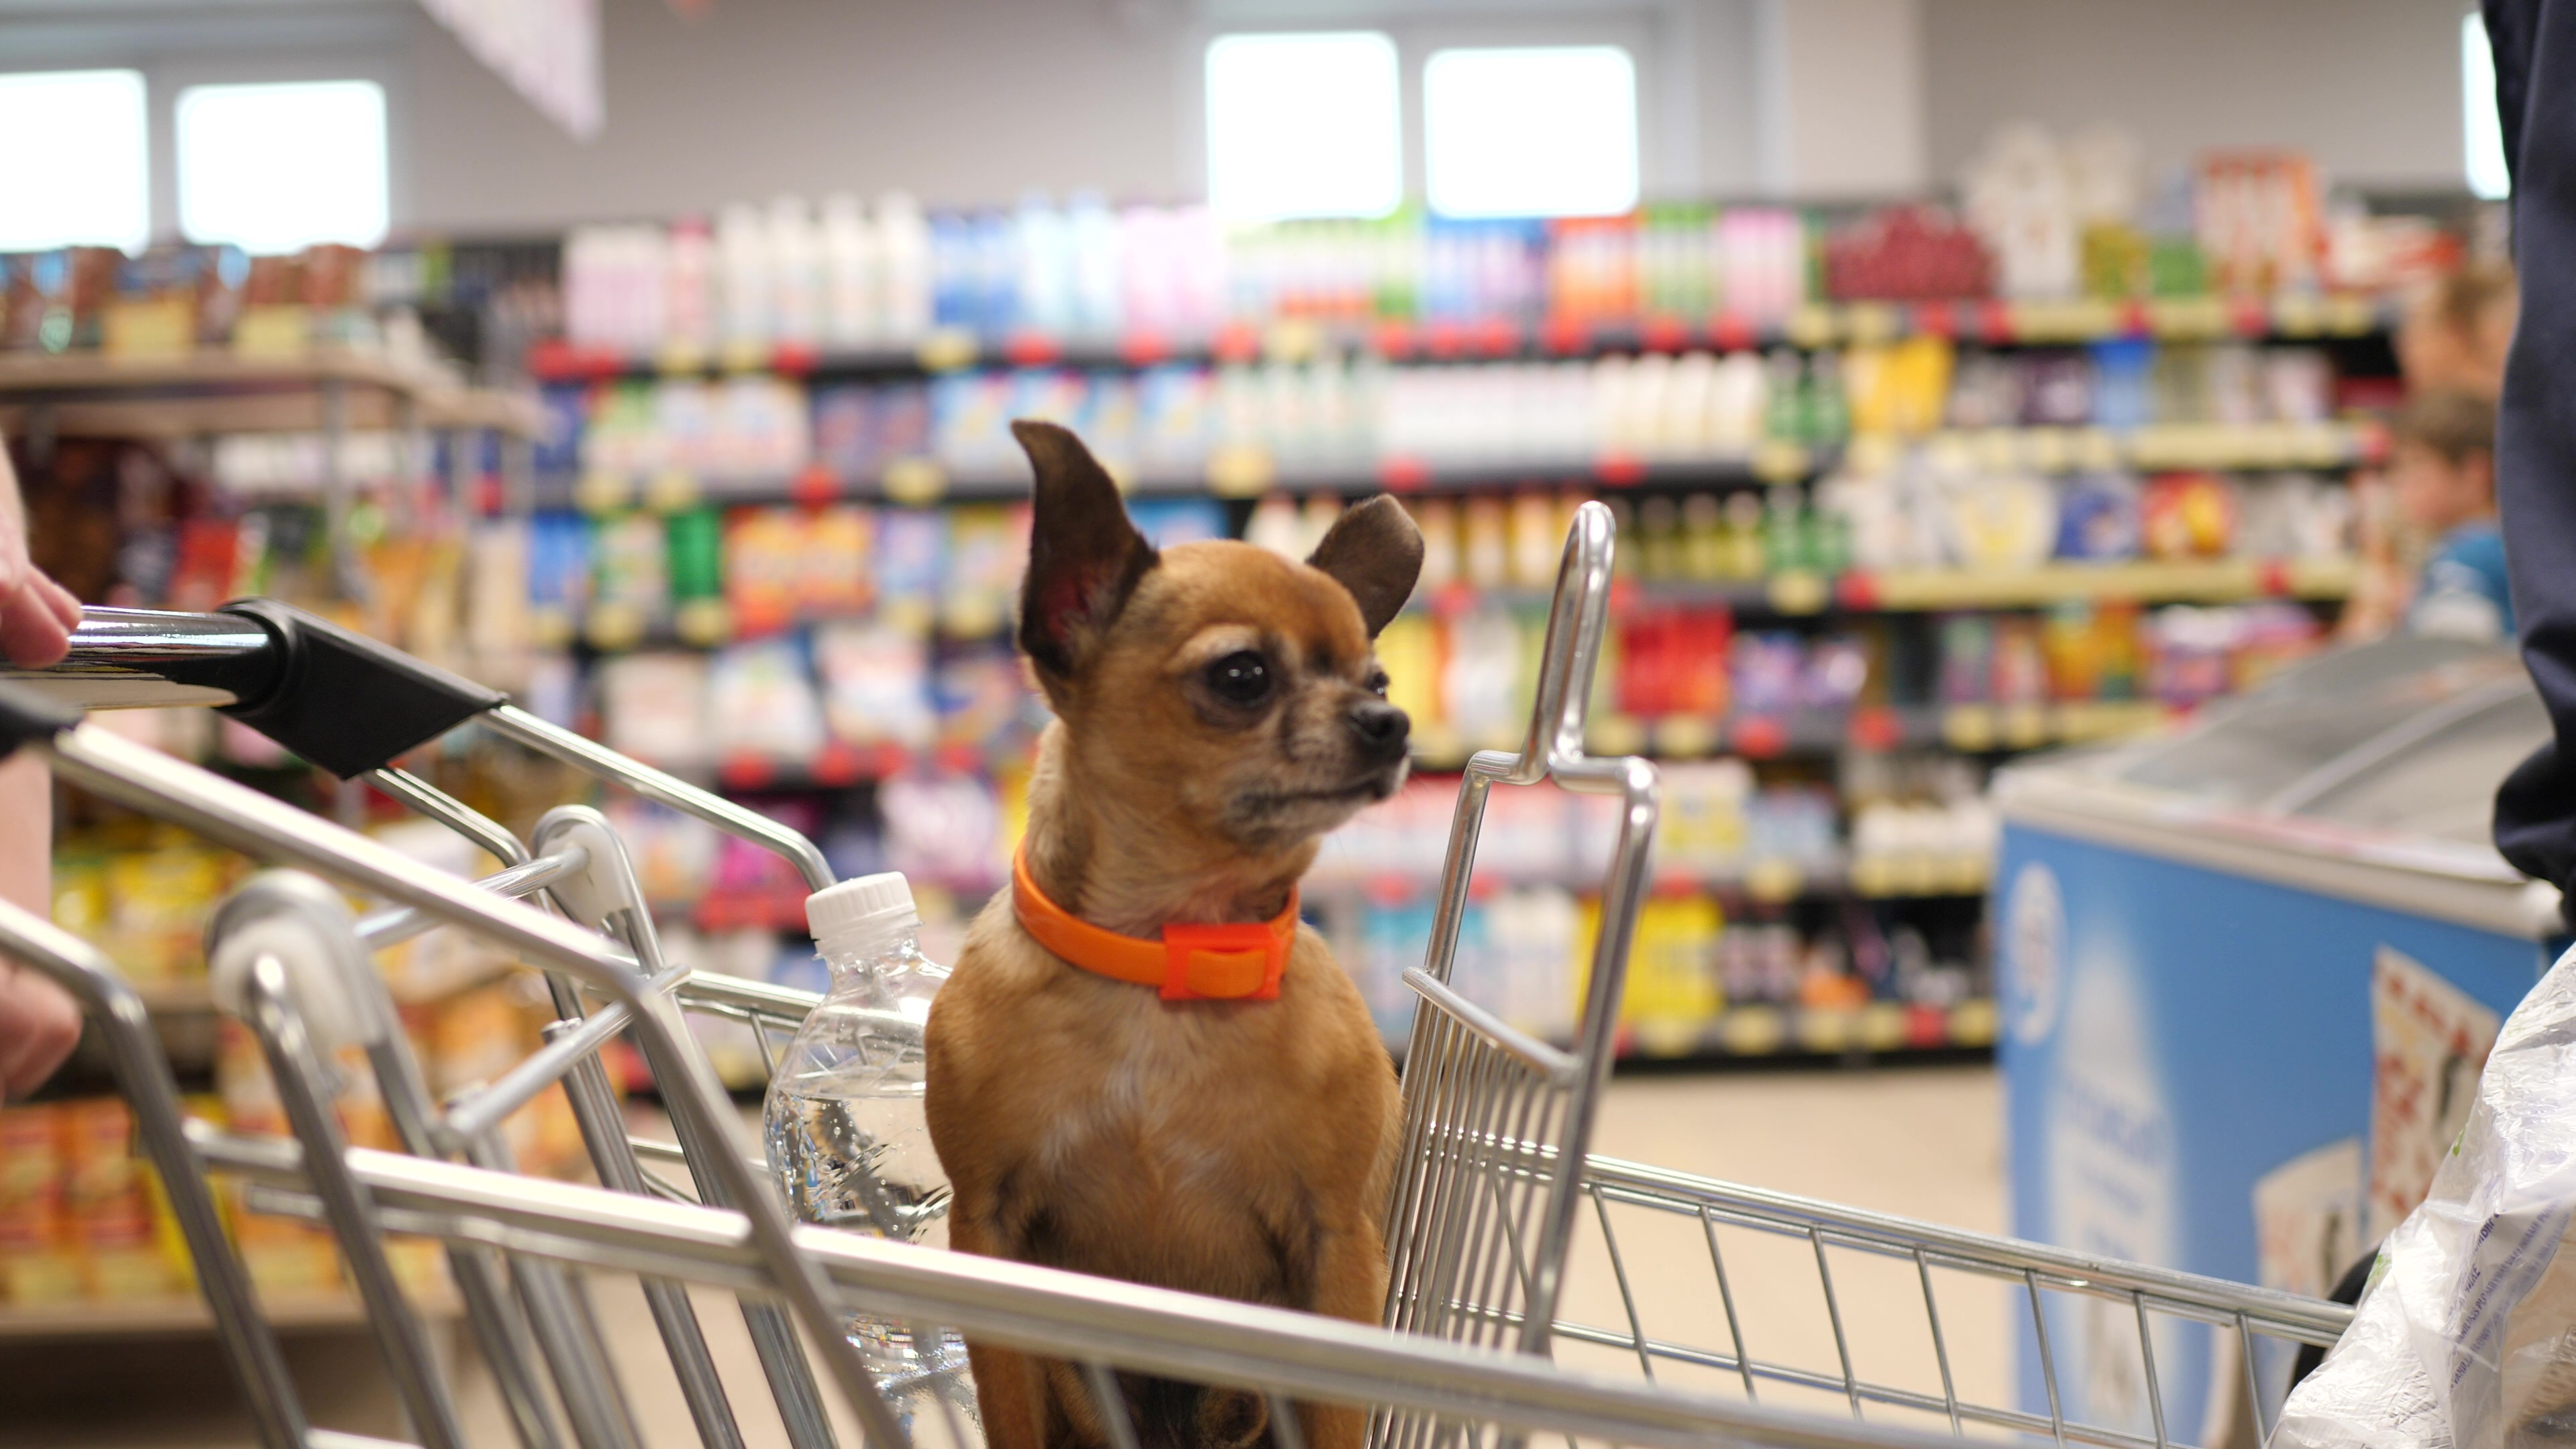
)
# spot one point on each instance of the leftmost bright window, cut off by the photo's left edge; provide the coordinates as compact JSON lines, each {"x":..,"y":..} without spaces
{"x":73,"y":164}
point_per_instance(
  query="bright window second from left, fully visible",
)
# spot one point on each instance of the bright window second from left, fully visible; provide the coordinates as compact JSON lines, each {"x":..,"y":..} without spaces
{"x":277,"y":169}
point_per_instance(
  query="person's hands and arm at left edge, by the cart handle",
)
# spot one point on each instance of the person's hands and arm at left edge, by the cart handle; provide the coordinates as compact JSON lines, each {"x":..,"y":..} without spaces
{"x":37,"y":615}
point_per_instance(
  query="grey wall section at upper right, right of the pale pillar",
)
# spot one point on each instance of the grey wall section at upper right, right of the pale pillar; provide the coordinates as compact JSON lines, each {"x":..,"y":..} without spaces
{"x":2371,"y":89}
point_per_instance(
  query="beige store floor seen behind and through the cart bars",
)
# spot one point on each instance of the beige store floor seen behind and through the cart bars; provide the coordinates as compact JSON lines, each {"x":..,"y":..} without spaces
{"x":1920,"y":1141}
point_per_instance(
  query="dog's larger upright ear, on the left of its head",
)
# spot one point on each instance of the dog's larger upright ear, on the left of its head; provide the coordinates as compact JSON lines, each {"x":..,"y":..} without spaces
{"x":1083,"y":553}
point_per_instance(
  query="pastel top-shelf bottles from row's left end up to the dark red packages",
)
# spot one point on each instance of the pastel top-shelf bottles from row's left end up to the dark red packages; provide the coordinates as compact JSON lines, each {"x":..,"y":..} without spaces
{"x":867,"y":277}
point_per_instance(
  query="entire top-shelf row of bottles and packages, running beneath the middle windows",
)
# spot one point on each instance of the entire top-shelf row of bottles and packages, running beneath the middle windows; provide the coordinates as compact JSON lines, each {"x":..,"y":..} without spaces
{"x":862,"y":277}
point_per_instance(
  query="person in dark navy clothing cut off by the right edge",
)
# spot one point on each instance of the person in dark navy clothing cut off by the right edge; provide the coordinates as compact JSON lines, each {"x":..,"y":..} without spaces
{"x":2536,"y":429}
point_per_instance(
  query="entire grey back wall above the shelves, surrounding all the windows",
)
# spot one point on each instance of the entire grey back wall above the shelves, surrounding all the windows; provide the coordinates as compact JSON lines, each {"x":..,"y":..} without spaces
{"x":980,"y":99}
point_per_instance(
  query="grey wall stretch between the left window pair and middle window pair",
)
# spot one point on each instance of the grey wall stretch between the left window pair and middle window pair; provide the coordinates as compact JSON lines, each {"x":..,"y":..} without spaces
{"x":954,"y":99}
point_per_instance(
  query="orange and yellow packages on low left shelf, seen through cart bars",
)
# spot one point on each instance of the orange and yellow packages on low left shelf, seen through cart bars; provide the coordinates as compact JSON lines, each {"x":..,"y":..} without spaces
{"x":86,"y":1221}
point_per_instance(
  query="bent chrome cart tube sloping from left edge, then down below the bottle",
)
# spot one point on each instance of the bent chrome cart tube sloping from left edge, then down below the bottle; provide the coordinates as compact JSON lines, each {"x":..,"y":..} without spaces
{"x":272,"y":829}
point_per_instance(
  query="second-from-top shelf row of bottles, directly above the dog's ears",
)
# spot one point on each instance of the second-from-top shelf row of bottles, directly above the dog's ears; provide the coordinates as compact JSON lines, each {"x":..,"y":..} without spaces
{"x":1186,"y":422}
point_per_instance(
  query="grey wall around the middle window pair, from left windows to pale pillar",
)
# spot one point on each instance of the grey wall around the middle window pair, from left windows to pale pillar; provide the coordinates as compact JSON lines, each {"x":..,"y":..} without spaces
{"x":983,"y":99}
